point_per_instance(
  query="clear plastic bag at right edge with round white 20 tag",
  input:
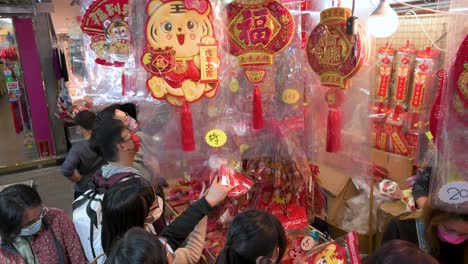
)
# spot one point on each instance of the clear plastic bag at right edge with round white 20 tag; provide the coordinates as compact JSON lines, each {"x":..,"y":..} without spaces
{"x":449,"y":182}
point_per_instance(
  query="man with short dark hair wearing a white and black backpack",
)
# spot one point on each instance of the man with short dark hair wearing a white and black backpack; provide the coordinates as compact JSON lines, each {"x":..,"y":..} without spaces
{"x":118,"y":146}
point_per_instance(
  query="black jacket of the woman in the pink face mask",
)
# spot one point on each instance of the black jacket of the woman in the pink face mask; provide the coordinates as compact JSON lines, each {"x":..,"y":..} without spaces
{"x":406,"y":230}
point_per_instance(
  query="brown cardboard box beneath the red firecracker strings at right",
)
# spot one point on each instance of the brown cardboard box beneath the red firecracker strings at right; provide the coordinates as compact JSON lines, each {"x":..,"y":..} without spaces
{"x":399,"y":167}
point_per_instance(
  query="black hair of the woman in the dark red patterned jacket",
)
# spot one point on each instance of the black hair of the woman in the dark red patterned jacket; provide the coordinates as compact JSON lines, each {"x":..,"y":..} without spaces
{"x":13,"y":201}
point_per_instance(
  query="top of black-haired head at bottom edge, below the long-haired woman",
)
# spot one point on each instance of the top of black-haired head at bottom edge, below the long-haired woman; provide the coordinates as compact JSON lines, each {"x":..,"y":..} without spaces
{"x":137,"y":246}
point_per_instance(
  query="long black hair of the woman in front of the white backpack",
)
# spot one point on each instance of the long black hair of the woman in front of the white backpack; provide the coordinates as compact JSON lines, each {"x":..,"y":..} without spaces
{"x":124,"y":206}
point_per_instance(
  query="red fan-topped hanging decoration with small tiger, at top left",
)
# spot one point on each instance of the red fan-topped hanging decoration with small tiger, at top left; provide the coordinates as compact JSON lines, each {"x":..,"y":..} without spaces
{"x":106,"y":21}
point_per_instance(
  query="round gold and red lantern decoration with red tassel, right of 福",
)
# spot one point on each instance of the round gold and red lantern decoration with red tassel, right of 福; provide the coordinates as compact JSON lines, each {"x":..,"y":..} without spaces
{"x":336,"y":57}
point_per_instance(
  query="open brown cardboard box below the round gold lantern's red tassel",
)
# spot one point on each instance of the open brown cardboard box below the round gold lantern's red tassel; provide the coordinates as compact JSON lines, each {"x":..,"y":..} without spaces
{"x":339,"y":188}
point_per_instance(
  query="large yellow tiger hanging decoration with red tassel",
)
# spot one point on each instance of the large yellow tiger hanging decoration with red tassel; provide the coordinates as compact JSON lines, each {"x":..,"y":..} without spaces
{"x":182,"y":56}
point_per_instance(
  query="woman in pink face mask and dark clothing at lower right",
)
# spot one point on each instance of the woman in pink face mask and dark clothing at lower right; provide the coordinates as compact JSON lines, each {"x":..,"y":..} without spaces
{"x":442,"y":234}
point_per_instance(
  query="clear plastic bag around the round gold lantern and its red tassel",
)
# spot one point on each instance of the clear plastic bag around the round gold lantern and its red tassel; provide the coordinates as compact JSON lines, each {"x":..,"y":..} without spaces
{"x":354,"y":153}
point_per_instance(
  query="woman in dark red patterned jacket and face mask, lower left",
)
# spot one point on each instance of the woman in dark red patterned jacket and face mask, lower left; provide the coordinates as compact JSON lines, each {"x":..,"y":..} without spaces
{"x":32,"y":233}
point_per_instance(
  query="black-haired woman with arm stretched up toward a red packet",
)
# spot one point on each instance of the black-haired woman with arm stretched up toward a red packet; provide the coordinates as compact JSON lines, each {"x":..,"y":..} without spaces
{"x":125,"y":206}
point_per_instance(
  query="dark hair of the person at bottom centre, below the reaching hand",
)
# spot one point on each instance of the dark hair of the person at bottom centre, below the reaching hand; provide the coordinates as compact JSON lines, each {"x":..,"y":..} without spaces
{"x":251,"y":235}
